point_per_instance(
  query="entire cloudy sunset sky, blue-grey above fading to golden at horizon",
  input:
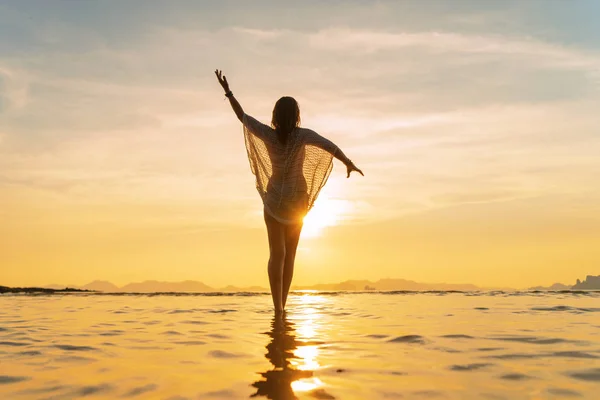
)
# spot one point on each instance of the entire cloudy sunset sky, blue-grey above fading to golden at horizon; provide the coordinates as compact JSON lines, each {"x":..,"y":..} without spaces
{"x":476,"y":125}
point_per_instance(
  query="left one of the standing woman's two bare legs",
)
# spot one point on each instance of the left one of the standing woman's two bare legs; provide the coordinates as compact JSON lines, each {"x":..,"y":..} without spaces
{"x":276,"y":233}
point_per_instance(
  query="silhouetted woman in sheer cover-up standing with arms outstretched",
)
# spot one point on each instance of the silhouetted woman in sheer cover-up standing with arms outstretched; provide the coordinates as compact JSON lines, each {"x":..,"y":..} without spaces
{"x":291,"y":165}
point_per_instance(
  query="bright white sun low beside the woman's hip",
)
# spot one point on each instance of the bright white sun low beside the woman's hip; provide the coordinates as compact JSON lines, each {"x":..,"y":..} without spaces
{"x":326,"y":212}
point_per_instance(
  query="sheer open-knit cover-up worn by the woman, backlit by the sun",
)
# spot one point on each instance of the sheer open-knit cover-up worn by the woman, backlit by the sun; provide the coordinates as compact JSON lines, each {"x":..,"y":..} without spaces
{"x":288,"y":177}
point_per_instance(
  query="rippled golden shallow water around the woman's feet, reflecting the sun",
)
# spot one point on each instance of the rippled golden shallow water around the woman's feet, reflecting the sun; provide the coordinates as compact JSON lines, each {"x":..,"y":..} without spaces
{"x":331,"y":346}
